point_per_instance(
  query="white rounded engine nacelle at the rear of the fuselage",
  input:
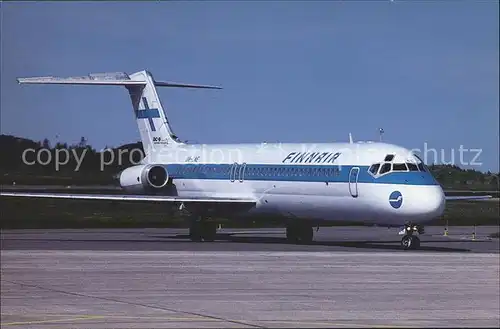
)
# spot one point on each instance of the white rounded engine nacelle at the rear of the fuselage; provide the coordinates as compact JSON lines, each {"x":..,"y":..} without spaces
{"x":144,"y":178}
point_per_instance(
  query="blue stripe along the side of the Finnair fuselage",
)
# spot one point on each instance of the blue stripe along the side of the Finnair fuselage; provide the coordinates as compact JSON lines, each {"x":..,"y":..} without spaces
{"x":293,"y":173}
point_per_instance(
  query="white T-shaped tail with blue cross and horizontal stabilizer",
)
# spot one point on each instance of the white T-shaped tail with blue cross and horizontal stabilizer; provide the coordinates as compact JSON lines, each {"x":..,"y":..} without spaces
{"x":152,"y":121}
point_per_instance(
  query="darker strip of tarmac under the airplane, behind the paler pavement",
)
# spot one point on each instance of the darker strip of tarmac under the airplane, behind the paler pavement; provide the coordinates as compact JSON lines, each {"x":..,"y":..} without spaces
{"x":342,"y":238}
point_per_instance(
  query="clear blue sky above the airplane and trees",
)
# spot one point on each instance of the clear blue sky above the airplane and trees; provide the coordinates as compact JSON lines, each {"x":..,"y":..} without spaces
{"x":425,"y":71}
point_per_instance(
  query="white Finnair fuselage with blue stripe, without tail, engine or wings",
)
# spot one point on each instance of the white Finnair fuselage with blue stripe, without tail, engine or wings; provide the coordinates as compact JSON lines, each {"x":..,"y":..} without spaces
{"x":309,"y":181}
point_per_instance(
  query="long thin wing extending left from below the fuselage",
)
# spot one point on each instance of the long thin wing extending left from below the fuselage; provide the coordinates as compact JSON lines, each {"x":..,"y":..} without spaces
{"x":124,"y":197}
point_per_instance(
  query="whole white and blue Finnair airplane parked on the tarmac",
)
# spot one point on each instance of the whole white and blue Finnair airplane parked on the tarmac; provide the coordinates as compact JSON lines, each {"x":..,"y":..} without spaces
{"x":312,"y":185}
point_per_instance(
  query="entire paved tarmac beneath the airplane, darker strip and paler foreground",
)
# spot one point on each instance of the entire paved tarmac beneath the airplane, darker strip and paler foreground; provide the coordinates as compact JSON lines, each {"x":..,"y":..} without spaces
{"x":153,"y":278}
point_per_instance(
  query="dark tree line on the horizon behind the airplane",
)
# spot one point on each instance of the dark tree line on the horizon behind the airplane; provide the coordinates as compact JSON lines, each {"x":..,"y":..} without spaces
{"x":24,"y":162}
